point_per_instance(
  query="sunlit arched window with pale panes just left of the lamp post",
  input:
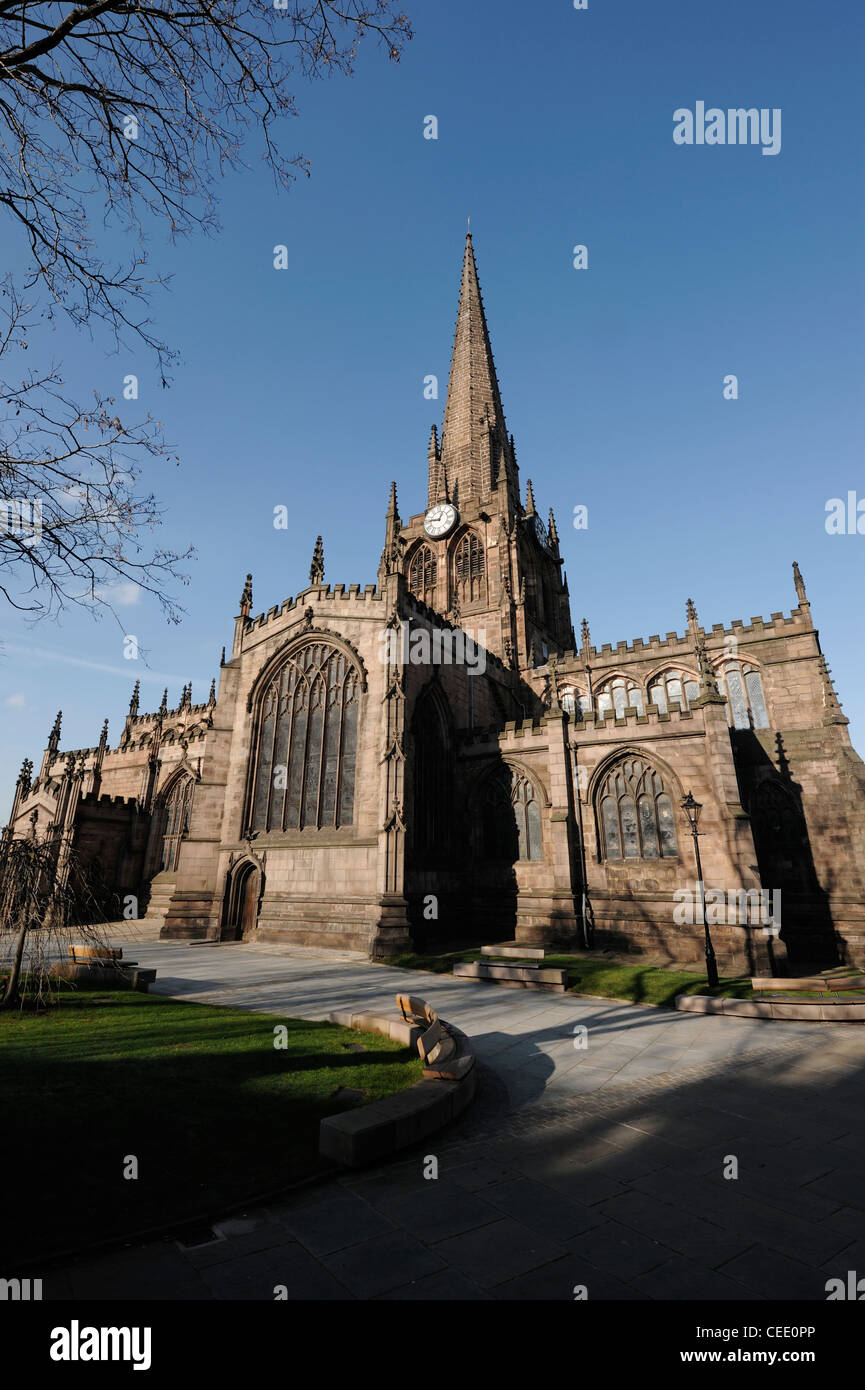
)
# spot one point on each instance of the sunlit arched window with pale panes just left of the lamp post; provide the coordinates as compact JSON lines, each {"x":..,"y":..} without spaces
{"x":636,"y":814}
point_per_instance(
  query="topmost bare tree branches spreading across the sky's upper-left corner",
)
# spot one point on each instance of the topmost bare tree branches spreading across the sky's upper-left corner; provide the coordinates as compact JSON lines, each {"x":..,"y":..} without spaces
{"x":137,"y":108}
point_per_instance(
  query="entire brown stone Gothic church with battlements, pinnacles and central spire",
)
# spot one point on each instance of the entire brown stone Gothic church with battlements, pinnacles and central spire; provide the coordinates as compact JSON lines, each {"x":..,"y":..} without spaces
{"x":436,"y":758}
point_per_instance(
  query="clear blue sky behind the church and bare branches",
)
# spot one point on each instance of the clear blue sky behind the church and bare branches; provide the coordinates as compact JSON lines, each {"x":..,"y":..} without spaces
{"x":305,"y":387}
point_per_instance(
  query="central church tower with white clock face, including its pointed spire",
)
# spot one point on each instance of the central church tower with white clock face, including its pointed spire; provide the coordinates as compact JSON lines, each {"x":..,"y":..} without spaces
{"x":478,"y":555}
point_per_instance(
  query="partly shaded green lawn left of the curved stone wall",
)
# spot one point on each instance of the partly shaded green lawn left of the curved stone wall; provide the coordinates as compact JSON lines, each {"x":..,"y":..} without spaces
{"x":201,"y":1096}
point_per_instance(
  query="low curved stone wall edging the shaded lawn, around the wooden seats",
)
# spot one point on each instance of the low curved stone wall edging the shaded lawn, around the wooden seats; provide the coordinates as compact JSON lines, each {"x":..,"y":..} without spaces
{"x":380,"y":1129}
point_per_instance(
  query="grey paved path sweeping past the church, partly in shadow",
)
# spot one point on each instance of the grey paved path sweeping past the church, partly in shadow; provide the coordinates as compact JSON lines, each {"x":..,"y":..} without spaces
{"x":599,"y":1167}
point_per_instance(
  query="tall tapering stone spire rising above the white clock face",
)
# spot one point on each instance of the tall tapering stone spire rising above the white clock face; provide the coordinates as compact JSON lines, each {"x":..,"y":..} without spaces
{"x":475,"y":445}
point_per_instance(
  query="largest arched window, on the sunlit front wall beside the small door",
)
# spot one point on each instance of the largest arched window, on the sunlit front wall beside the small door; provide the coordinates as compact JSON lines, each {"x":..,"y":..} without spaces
{"x":308,"y":743}
